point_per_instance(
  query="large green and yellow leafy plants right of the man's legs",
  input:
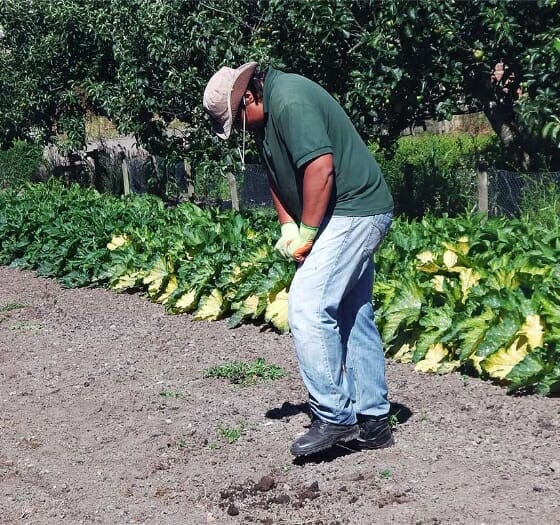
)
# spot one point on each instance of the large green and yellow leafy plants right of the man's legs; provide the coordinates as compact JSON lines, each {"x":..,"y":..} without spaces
{"x":454,"y":295}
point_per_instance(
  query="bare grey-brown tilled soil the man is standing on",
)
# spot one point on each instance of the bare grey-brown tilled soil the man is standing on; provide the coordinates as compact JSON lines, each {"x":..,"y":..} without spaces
{"x":107,"y":418}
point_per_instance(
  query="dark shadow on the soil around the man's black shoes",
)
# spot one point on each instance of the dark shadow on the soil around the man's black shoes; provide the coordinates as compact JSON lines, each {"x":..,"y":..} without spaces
{"x":398,"y":415}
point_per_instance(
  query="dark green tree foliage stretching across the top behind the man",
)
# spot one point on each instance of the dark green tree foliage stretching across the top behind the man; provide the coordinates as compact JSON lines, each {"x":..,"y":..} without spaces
{"x":391,"y":64}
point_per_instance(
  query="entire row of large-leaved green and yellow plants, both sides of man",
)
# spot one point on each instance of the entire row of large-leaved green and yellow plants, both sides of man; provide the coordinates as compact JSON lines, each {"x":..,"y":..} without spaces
{"x":469,"y":294}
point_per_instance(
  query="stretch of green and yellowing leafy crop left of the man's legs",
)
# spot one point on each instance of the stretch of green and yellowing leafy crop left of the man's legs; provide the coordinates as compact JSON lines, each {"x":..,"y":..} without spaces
{"x":187,"y":258}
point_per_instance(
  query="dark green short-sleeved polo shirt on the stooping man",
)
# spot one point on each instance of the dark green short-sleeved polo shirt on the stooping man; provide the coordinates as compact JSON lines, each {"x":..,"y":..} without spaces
{"x":305,"y":122}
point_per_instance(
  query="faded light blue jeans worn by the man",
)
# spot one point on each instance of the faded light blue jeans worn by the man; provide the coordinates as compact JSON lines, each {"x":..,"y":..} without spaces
{"x":338,"y":346}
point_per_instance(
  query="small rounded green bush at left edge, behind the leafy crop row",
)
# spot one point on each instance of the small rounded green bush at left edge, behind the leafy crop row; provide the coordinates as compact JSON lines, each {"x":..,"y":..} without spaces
{"x":19,"y":164}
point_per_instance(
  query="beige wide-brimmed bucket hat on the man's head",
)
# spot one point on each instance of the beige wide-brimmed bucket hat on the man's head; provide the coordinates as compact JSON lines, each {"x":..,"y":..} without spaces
{"x":223,"y":95}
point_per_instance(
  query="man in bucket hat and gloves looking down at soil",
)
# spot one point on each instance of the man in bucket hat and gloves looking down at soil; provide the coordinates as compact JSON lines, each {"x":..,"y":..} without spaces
{"x":334,"y":209}
